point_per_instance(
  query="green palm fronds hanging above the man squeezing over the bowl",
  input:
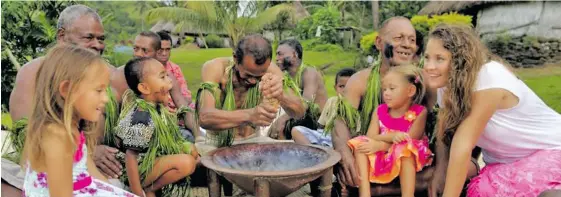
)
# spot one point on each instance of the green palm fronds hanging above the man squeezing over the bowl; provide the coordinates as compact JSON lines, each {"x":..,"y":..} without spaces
{"x":231,"y":17}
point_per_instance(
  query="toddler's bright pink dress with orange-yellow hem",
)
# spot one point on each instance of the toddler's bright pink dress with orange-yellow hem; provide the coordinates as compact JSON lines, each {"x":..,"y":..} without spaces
{"x":384,"y":166}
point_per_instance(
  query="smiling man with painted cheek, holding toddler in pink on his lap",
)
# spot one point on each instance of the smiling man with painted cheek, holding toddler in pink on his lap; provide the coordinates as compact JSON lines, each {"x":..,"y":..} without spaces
{"x":397,"y":44}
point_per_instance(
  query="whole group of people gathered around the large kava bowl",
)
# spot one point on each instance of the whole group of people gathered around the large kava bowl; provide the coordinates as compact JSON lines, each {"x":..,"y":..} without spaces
{"x":144,"y":132}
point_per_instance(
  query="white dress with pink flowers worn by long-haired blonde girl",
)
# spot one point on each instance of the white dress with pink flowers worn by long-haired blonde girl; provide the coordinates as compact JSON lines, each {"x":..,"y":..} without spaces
{"x":35,"y":183}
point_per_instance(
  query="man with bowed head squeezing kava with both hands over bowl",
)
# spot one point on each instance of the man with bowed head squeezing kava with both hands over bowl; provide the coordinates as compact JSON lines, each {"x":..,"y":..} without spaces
{"x":228,"y":102}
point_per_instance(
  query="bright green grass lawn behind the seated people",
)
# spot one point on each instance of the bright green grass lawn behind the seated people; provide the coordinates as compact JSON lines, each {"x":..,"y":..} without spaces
{"x":544,"y":81}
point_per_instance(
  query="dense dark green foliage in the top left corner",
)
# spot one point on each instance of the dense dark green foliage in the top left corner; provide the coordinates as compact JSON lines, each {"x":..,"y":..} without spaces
{"x":28,"y":28}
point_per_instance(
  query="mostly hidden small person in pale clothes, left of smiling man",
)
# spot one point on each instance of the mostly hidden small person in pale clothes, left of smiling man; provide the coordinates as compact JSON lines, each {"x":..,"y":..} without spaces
{"x":305,"y":135}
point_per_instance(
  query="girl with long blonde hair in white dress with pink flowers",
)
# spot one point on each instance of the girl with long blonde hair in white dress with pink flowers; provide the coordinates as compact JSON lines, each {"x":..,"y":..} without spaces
{"x":69,"y":99}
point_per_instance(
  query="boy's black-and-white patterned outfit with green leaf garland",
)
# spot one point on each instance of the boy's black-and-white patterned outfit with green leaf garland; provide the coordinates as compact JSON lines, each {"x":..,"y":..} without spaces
{"x":150,"y":130}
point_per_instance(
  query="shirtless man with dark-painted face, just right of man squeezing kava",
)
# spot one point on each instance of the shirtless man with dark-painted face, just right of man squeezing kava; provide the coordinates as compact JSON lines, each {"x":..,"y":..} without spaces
{"x":306,"y":79}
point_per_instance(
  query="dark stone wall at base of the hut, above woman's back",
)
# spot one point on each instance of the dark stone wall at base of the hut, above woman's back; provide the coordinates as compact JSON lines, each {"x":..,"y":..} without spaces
{"x":526,"y":51}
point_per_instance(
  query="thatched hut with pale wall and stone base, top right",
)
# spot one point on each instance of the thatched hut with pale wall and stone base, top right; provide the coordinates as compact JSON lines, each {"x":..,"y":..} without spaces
{"x":530,"y":31}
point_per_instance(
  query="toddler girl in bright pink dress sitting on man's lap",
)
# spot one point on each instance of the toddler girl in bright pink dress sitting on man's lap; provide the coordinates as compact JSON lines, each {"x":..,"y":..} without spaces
{"x":395,"y":144}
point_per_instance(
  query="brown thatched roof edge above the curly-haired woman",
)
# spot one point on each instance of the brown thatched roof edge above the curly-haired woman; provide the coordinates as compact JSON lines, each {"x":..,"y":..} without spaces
{"x":440,"y":7}
